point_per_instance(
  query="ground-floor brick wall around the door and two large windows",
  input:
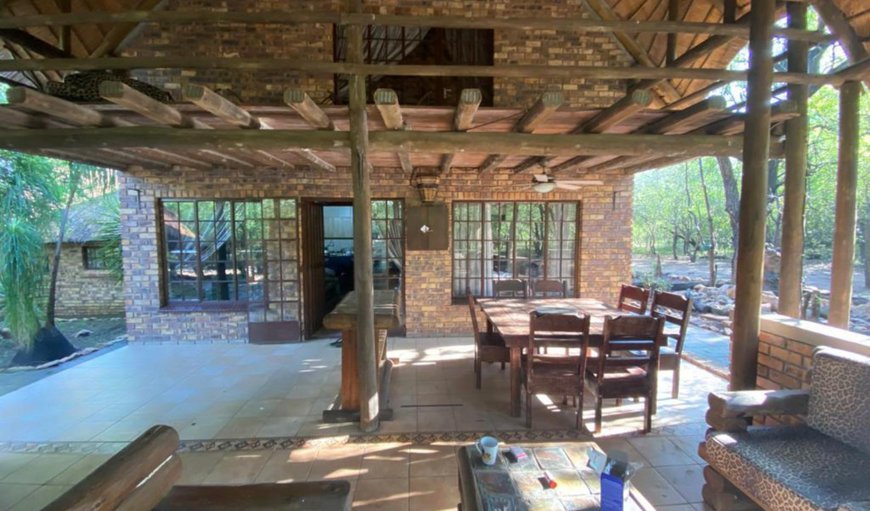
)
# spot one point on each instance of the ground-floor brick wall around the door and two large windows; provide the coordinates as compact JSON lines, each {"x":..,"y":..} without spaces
{"x":604,"y":253}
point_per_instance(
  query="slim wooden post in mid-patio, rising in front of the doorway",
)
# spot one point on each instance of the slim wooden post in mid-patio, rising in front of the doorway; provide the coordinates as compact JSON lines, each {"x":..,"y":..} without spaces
{"x":362,"y":232}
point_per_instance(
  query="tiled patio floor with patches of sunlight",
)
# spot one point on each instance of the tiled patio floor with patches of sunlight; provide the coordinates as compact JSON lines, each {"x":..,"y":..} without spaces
{"x":55,"y":431}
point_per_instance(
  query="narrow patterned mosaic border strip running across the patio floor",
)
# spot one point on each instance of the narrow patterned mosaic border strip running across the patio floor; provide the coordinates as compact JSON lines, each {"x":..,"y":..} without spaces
{"x":281,"y":443}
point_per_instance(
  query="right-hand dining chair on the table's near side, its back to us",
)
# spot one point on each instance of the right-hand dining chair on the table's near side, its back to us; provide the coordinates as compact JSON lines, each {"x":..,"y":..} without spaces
{"x":627,"y":363}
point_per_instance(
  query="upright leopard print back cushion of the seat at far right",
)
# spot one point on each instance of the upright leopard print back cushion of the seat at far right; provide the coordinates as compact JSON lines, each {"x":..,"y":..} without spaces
{"x":840,"y":397}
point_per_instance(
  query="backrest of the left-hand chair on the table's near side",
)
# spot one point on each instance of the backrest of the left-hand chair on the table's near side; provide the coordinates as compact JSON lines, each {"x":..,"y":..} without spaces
{"x":565,"y":330}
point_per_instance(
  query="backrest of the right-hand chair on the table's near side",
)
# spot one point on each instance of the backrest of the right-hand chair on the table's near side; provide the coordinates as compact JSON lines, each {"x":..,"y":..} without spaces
{"x":635,"y":338}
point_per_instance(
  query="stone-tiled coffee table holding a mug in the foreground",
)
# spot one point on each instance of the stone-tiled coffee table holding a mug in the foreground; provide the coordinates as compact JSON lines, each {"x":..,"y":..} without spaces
{"x":509,"y":486}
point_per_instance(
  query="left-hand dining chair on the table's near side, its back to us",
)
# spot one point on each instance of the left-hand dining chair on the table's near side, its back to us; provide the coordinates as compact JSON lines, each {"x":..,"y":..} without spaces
{"x":556,"y":374}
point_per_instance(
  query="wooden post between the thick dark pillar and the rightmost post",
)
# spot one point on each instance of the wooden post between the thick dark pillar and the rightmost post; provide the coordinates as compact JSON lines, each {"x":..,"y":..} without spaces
{"x":791,"y":269}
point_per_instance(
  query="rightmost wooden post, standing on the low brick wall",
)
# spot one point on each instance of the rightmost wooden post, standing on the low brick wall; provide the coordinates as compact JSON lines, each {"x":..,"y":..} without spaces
{"x":844,"y":219}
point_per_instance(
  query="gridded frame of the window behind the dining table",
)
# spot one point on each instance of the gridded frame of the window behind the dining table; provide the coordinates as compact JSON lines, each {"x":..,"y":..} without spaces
{"x":459,"y":295}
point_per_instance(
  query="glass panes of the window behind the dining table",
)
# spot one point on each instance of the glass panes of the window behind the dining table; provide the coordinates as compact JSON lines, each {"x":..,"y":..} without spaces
{"x":512,"y":240}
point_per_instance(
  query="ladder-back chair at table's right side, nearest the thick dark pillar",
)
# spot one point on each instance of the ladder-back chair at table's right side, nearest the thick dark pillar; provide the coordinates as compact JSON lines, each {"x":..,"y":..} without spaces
{"x":675,"y":310}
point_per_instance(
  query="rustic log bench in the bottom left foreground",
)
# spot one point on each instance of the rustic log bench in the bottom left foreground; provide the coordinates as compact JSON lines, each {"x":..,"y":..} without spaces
{"x":142,"y":477}
